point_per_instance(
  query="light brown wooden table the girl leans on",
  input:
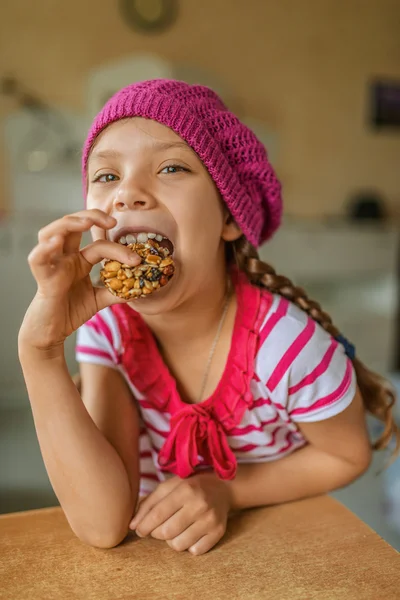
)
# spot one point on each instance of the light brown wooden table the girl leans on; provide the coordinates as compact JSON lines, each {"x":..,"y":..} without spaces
{"x":313,"y":549}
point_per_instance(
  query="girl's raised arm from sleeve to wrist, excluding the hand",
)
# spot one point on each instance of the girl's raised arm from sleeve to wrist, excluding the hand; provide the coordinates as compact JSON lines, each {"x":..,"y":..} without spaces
{"x":90,"y":447}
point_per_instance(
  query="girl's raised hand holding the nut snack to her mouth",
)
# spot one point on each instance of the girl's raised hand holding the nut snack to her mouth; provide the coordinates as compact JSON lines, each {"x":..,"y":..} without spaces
{"x":65,"y":297}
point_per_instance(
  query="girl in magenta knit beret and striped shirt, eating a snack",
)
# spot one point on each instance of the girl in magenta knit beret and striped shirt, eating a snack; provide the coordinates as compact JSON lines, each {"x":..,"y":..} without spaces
{"x":228,"y":388}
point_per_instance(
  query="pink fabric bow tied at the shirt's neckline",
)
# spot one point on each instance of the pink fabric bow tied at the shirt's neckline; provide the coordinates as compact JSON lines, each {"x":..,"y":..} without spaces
{"x":194,"y":436}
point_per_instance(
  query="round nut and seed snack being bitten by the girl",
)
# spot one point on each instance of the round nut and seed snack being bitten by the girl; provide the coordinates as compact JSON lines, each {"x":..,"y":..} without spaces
{"x":154,"y":272}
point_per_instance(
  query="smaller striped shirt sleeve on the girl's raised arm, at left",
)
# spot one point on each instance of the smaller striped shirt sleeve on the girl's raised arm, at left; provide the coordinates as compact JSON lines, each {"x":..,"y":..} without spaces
{"x":98,"y":340}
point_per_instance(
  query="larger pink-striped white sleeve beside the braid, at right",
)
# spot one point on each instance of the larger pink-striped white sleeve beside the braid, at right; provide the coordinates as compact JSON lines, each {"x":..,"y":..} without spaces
{"x":305,"y":370}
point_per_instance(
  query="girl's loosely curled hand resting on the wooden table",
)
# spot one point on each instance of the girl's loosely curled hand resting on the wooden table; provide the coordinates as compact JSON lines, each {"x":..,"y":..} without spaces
{"x":190,"y":514}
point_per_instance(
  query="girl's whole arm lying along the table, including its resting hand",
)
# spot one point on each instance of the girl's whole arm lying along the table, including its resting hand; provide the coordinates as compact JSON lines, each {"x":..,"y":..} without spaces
{"x":191,"y":514}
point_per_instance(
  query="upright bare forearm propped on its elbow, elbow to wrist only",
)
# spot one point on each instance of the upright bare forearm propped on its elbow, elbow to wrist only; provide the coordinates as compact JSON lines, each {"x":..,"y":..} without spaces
{"x":85,"y":470}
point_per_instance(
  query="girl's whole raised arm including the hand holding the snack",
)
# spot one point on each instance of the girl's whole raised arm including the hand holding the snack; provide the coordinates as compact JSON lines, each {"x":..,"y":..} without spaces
{"x":91,"y":451}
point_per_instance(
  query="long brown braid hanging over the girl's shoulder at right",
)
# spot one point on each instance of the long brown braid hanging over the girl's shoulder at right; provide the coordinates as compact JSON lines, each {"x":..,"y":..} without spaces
{"x":378,"y":395}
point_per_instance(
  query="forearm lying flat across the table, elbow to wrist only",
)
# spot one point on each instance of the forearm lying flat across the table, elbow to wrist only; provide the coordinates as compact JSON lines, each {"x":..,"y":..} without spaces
{"x":307,"y":472}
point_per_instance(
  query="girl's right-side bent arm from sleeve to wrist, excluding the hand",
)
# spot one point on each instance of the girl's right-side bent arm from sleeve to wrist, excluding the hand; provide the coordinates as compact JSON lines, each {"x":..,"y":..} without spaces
{"x":338,"y":451}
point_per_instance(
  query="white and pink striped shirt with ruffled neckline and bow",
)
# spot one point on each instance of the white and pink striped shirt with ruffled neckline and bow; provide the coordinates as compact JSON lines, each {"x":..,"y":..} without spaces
{"x":282,"y":369}
